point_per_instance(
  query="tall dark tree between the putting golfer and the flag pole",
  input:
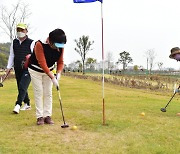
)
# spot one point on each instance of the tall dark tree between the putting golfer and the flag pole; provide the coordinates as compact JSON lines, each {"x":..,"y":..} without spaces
{"x":83,"y":46}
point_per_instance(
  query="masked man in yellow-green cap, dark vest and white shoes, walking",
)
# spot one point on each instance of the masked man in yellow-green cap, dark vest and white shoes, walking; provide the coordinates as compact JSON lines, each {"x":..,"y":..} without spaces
{"x":20,"y":48}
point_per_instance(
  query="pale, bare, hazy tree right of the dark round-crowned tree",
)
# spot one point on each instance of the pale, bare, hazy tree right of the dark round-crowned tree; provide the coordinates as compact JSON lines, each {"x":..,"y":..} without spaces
{"x":150,"y":56}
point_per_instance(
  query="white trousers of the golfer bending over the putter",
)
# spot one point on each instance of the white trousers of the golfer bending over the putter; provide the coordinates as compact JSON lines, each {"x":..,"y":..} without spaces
{"x":42,"y":87}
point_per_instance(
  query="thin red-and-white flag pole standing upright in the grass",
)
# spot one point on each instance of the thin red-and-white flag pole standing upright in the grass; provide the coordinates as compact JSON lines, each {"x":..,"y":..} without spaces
{"x":103,"y":101}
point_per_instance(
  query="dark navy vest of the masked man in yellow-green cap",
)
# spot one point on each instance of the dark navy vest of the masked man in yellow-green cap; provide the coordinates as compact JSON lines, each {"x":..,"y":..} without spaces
{"x":20,"y":51}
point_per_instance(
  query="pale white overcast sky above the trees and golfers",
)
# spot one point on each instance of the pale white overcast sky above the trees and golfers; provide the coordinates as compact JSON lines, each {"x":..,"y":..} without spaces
{"x":132,"y":26}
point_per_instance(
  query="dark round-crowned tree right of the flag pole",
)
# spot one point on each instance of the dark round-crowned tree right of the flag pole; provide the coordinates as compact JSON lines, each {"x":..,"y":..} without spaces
{"x":125,"y":59}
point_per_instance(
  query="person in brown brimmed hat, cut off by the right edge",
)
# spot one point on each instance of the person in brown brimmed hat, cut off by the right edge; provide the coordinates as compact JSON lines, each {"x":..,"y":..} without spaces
{"x":175,"y":54}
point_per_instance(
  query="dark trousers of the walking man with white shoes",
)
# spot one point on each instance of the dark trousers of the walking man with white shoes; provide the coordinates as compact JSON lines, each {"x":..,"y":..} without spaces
{"x":23,"y":80}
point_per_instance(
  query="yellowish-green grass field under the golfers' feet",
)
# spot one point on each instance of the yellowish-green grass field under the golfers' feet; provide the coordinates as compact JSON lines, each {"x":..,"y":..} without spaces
{"x":126,"y":132}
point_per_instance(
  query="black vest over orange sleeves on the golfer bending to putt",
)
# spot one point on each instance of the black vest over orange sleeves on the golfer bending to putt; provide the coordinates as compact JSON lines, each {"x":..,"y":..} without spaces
{"x":51,"y":56}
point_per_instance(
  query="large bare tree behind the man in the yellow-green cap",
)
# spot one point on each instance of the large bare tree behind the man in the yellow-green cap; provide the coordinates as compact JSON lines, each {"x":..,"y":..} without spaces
{"x":9,"y":19}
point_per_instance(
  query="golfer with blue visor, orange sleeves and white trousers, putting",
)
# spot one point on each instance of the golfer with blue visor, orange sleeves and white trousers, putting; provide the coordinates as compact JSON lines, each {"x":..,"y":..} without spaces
{"x":43,"y":59}
